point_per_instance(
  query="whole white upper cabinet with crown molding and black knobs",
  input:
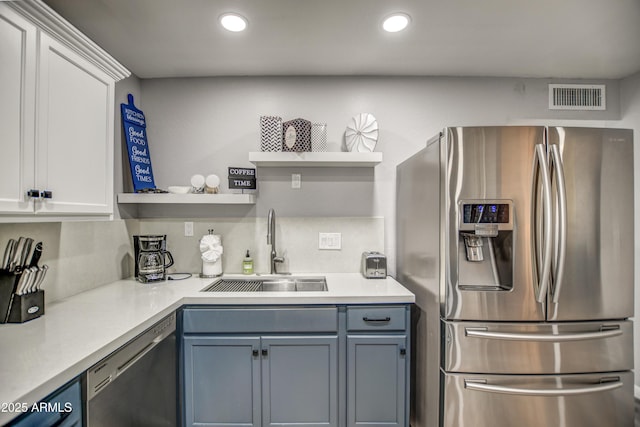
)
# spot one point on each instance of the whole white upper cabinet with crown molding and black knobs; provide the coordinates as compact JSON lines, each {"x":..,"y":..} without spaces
{"x":59,"y":115}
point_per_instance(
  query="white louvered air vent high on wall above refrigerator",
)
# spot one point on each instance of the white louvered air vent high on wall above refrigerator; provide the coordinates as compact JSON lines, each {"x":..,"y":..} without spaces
{"x":577,"y":97}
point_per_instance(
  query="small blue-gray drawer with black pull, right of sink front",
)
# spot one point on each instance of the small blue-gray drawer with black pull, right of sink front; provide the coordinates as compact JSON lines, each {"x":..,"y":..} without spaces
{"x":376,"y":319}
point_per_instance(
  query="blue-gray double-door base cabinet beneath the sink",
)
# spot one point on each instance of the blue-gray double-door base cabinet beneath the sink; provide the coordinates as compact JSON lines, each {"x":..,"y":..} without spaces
{"x":272,"y":379}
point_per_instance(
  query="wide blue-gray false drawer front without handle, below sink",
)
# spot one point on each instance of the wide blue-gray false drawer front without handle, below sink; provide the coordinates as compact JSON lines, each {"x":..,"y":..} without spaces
{"x":261,"y":320}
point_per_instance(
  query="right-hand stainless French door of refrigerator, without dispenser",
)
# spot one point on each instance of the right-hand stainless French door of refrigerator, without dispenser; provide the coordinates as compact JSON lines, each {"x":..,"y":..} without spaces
{"x":593,"y":278}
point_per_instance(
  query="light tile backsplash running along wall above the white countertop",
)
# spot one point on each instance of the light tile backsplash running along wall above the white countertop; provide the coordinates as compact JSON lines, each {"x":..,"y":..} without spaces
{"x":85,"y":255}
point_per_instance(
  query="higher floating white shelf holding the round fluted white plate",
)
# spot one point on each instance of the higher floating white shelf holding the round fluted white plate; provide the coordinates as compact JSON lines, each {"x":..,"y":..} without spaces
{"x":315,"y":159}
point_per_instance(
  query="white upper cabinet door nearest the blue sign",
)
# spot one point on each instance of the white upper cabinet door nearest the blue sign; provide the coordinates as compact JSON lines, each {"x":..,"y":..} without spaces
{"x":74,"y":148}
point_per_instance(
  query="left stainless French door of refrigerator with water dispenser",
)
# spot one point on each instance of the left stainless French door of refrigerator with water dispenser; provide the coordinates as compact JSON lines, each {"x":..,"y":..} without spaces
{"x":492,"y":164}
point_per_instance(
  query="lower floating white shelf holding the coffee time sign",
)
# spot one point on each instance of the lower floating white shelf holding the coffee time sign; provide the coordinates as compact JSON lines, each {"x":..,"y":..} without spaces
{"x":195,"y":199}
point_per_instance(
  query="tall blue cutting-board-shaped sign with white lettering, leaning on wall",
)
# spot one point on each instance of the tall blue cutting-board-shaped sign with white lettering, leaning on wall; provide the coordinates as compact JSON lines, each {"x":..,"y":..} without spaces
{"x":135,"y":132}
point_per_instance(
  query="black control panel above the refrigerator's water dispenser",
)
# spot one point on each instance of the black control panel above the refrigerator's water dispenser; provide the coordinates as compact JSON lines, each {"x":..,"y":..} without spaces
{"x":477,"y":214}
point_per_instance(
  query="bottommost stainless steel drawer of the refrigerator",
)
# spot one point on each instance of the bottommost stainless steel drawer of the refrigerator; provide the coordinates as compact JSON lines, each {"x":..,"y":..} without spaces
{"x":472,"y":400}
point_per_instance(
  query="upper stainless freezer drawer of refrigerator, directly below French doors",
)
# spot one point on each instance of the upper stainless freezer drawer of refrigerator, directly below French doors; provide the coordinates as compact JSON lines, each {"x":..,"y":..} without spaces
{"x":538,"y":348}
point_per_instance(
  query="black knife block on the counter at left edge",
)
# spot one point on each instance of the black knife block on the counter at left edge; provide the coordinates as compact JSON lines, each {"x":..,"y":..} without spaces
{"x":18,"y":308}
